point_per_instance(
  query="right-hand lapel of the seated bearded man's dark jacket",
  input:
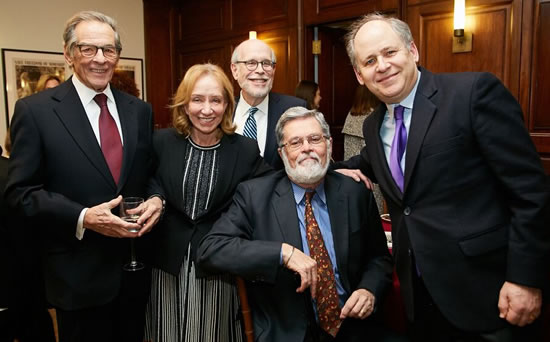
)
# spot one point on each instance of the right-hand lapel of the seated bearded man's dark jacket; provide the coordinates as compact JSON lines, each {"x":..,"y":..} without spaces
{"x":337,"y":202}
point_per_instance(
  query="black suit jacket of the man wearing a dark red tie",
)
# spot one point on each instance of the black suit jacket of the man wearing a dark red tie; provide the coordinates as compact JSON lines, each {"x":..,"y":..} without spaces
{"x":56,"y":170}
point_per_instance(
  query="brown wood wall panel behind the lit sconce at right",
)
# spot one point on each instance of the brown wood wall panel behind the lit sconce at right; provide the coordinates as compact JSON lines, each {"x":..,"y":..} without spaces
{"x":496,"y":42}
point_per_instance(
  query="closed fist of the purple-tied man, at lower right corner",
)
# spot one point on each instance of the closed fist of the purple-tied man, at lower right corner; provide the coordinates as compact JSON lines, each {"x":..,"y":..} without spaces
{"x":519,"y":305}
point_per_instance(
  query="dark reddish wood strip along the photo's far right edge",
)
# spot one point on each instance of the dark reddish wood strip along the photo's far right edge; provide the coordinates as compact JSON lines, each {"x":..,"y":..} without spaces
{"x":539,"y":114}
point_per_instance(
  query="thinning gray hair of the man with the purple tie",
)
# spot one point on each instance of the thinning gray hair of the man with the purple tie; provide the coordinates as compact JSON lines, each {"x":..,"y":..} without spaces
{"x":400,"y":27}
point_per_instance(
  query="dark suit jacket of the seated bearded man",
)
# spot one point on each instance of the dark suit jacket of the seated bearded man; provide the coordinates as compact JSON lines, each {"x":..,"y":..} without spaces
{"x":246,"y":241}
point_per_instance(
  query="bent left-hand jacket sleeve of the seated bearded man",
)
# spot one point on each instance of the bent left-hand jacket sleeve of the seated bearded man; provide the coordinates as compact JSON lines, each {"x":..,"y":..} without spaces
{"x":228,"y":247}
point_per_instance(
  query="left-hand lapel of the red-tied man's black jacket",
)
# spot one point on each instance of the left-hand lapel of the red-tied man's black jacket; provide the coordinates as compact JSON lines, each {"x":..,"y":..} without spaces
{"x":73,"y":116}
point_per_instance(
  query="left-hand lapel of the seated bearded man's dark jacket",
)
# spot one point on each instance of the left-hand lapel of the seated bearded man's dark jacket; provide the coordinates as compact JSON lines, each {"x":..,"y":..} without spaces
{"x":284,"y":206}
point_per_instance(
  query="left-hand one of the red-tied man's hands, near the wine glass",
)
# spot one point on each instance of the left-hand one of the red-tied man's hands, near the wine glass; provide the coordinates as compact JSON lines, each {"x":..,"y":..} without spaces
{"x":101,"y":220}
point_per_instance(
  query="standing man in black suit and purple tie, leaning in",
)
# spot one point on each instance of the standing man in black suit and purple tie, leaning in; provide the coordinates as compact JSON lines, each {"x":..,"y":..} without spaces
{"x":467,"y":196}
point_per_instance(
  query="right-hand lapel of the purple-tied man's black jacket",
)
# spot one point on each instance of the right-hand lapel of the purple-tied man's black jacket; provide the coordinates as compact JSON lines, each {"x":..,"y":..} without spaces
{"x":422,"y":115}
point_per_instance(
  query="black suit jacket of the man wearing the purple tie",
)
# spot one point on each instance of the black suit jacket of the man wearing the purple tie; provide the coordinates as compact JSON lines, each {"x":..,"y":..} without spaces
{"x":475,"y":205}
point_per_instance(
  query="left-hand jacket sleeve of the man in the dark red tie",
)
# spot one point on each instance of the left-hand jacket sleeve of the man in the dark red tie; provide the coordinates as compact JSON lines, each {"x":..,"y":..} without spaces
{"x":25,"y":190}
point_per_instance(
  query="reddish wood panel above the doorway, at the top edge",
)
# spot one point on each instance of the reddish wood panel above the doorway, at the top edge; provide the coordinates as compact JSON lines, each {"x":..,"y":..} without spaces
{"x":324,"y":11}
